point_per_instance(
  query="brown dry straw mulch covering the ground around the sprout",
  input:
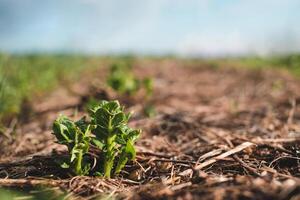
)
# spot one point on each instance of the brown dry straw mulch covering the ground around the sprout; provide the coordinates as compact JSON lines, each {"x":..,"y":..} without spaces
{"x":225,"y":133}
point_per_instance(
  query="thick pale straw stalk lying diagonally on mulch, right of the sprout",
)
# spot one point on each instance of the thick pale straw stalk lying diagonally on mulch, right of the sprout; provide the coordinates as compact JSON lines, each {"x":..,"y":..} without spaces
{"x":224,"y":155}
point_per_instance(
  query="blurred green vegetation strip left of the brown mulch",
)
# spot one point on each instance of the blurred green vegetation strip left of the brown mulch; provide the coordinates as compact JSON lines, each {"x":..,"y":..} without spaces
{"x":22,"y":78}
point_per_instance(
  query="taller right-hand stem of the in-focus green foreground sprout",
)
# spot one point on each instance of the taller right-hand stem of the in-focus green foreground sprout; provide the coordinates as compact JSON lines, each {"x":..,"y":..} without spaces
{"x":113,"y":132}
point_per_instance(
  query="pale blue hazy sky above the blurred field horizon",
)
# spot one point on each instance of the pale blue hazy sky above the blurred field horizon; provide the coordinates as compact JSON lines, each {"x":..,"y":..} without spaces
{"x":184,"y":27}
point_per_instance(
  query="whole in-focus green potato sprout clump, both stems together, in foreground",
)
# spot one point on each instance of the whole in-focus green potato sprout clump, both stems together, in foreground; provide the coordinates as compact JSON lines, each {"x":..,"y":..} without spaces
{"x":107,"y":130}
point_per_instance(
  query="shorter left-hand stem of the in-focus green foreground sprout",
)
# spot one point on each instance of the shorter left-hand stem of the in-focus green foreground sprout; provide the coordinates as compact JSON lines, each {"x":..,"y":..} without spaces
{"x":76,"y":136}
